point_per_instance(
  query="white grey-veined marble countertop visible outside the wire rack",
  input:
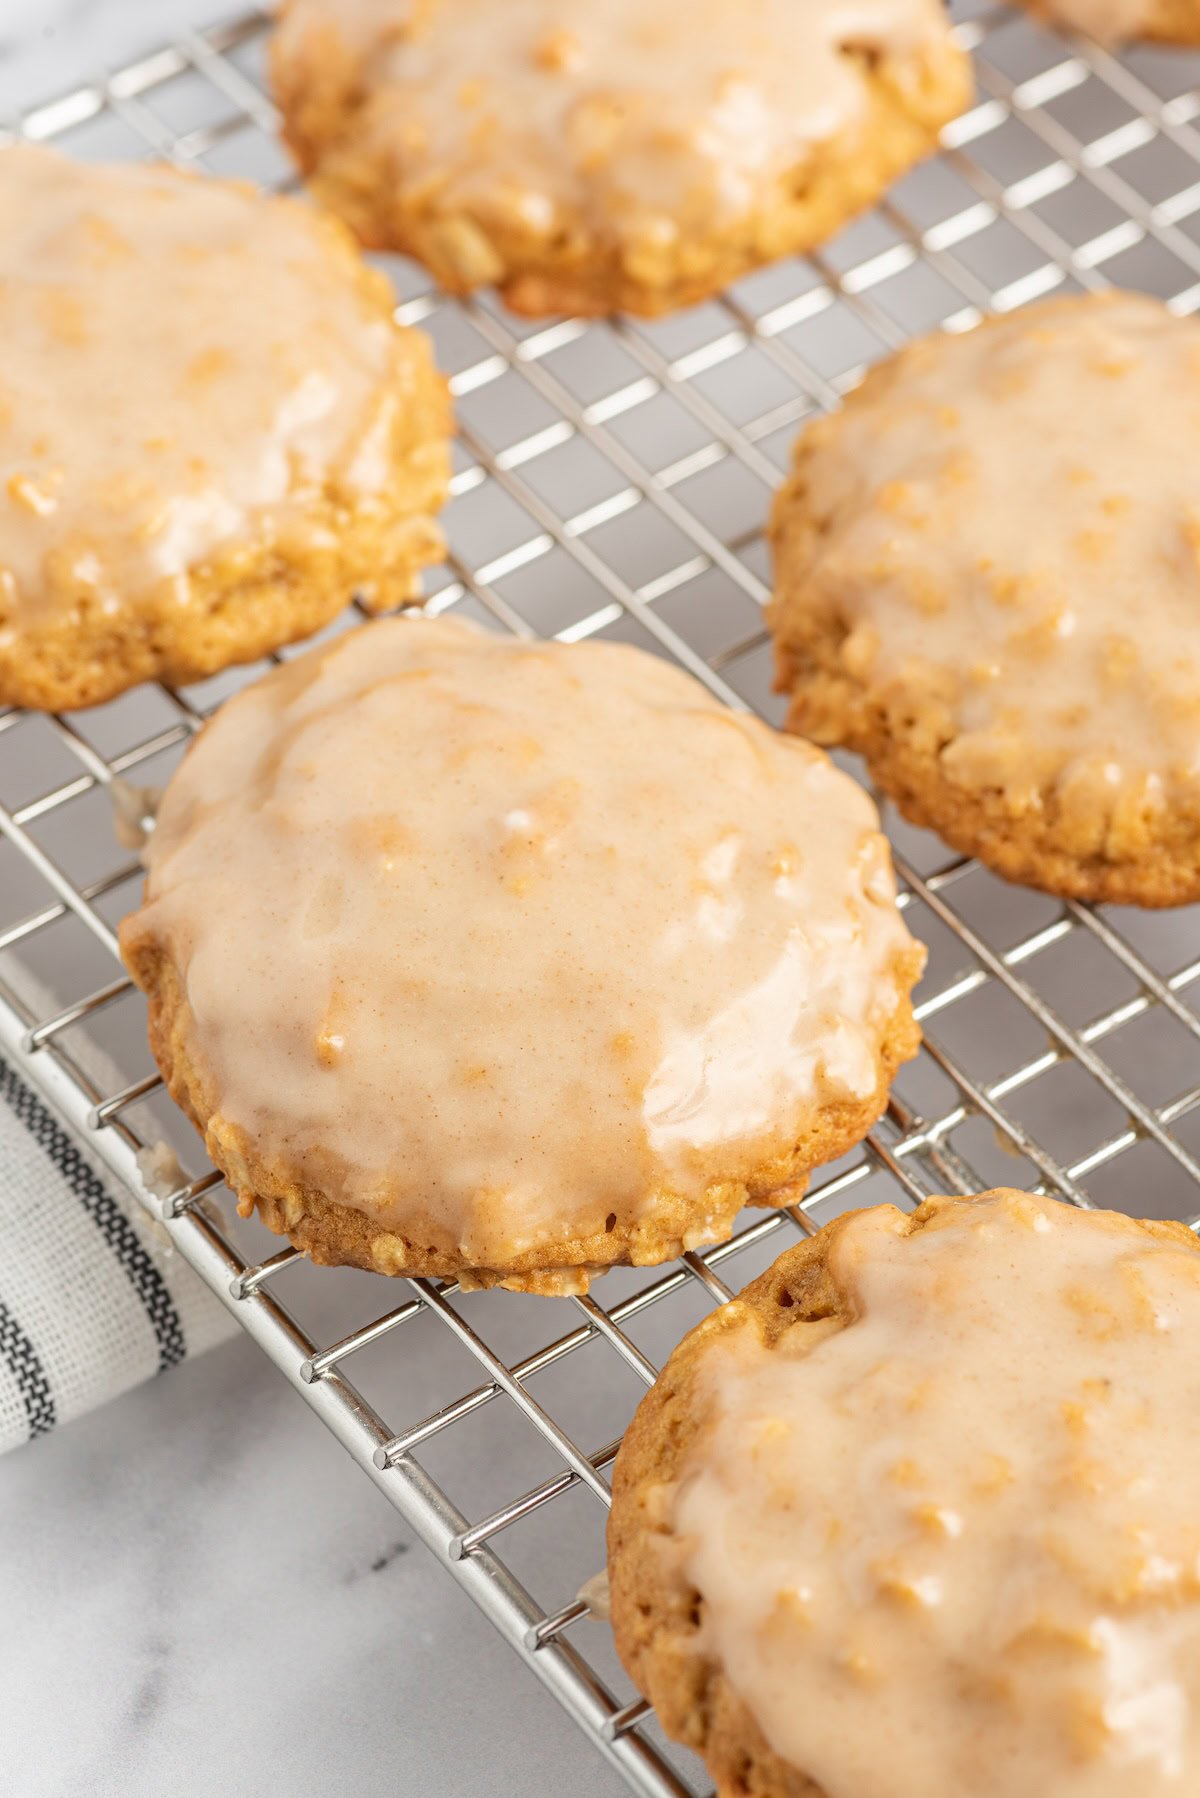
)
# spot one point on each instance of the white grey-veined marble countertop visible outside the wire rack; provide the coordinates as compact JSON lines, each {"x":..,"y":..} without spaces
{"x":199,"y":1589}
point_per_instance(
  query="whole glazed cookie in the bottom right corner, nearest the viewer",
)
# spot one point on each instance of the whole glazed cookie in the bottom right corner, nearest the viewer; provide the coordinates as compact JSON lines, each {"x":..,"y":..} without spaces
{"x":917,"y":1515}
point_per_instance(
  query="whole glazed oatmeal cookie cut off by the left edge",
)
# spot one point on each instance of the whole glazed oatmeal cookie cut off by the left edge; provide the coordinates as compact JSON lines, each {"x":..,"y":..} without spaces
{"x":211,"y":431}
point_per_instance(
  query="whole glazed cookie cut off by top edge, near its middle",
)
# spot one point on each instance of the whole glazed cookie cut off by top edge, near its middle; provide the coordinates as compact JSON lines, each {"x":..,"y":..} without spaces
{"x":589,"y":156}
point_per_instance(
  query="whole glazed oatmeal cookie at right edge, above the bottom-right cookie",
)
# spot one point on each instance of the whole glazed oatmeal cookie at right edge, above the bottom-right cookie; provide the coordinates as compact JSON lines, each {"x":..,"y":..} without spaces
{"x":989,"y":583}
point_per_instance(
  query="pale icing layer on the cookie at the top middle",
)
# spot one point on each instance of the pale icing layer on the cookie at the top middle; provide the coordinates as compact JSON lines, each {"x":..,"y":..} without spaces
{"x":641,"y":118}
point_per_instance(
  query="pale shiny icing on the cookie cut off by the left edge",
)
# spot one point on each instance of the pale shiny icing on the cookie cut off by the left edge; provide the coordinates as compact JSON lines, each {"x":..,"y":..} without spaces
{"x":184,"y":359}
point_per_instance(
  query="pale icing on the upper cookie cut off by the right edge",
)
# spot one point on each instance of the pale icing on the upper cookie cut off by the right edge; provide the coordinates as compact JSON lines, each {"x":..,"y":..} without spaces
{"x":1014,"y":546}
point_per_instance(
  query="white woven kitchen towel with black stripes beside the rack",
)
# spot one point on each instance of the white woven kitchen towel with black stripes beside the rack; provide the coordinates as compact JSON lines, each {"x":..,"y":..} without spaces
{"x":93,"y":1295}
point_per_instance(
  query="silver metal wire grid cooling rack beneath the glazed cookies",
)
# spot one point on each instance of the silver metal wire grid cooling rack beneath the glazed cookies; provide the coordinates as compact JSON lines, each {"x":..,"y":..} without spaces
{"x":611,"y":483}
